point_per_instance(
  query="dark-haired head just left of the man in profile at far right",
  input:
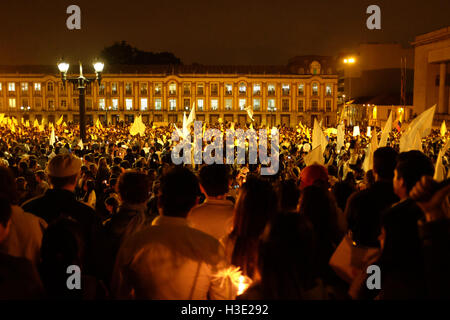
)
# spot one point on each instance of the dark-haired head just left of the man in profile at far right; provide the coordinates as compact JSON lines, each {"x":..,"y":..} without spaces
{"x":384,"y":162}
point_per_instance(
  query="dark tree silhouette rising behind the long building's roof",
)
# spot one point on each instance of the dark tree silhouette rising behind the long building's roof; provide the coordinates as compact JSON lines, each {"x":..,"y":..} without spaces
{"x":124,"y":53}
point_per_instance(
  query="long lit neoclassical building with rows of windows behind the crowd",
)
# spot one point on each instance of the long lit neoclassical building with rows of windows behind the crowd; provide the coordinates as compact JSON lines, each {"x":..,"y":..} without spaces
{"x":304,"y":89}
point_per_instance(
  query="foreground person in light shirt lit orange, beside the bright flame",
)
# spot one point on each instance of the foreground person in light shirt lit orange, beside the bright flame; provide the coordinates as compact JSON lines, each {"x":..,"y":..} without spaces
{"x":170,"y":260}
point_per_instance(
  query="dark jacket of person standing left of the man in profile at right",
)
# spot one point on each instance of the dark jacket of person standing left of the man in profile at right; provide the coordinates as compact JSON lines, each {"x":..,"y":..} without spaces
{"x":363,"y":212}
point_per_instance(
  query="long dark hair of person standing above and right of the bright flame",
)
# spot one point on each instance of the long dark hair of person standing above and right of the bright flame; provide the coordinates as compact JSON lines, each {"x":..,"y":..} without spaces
{"x":255,"y":206}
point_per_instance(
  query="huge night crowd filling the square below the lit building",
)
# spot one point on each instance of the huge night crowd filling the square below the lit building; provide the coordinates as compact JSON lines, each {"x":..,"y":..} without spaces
{"x":140,"y":227}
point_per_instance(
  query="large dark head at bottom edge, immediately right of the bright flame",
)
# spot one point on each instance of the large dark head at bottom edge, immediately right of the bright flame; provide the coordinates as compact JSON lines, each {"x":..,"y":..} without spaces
{"x":286,"y":259}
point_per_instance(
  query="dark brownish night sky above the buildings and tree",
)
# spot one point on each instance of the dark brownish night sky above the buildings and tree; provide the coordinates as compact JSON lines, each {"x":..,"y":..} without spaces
{"x":208,"y":31}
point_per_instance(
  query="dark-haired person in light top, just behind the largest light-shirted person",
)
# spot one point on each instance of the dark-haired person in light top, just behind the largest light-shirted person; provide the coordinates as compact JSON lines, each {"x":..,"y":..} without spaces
{"x":215,"y":215}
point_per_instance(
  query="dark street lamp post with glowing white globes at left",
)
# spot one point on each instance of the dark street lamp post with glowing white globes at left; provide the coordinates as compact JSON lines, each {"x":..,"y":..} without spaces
{"x":81,"y":81}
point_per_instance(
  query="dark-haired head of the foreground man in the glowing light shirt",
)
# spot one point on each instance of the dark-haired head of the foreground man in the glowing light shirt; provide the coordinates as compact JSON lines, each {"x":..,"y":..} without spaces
{"x":179,"y":182}
